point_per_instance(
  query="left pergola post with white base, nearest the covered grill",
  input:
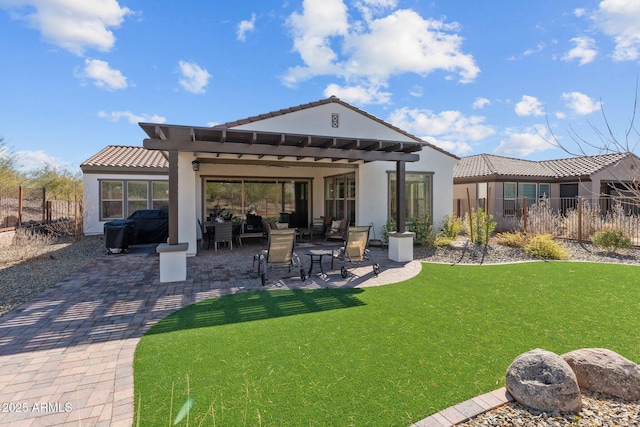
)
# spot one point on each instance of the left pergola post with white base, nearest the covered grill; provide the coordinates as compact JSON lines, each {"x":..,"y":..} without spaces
{"x":173,"y":255}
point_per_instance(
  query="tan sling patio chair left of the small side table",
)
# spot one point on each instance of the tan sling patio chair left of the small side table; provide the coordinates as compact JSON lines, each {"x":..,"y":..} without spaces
{"x":279,"y":254}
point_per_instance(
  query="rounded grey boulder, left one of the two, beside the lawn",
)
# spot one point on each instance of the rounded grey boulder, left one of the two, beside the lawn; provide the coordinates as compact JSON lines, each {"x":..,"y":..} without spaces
{"x":542,"y":380}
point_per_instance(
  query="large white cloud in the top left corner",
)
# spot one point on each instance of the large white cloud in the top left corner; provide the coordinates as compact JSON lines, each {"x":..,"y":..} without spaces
{"x":74,"y":25}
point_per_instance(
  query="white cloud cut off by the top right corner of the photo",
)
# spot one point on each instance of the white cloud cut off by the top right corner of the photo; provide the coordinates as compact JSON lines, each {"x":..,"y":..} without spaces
{"x":620,"y":19}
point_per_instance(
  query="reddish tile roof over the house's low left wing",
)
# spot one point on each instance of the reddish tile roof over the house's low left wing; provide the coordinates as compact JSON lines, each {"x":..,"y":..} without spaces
{"x":119,"y":156}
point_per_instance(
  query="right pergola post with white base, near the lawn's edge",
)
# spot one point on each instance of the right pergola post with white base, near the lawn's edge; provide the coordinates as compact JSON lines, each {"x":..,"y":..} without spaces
{"x":401,"y":242}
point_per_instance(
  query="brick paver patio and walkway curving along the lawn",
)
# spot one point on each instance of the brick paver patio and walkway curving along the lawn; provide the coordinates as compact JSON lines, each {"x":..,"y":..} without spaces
{"x":66,"y":357}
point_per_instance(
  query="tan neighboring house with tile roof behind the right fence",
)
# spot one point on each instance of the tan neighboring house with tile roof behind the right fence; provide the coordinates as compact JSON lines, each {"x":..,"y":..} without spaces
{"x":500,"y":184}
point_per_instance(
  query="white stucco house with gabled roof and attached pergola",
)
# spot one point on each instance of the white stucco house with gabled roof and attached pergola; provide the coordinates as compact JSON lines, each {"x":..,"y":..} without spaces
{"x":325,"y":158}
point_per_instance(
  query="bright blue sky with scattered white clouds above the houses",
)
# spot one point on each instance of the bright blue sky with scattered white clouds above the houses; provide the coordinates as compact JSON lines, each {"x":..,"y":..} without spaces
{"x":502,"y":77}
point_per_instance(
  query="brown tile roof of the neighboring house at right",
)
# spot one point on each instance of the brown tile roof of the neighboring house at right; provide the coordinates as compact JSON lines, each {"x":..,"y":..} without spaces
{"x":491,"y":165}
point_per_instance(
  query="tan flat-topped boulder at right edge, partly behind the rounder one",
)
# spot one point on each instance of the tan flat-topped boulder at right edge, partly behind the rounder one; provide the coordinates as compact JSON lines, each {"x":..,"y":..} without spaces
{"x":605,"y":371}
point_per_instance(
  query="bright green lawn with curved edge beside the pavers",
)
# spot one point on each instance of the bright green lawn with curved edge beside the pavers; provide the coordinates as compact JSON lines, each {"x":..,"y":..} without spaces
{"x":385,"y":356}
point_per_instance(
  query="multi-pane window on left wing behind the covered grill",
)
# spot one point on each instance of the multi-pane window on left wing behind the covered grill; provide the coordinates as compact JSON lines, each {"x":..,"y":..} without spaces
{"x":119,"y":199}
